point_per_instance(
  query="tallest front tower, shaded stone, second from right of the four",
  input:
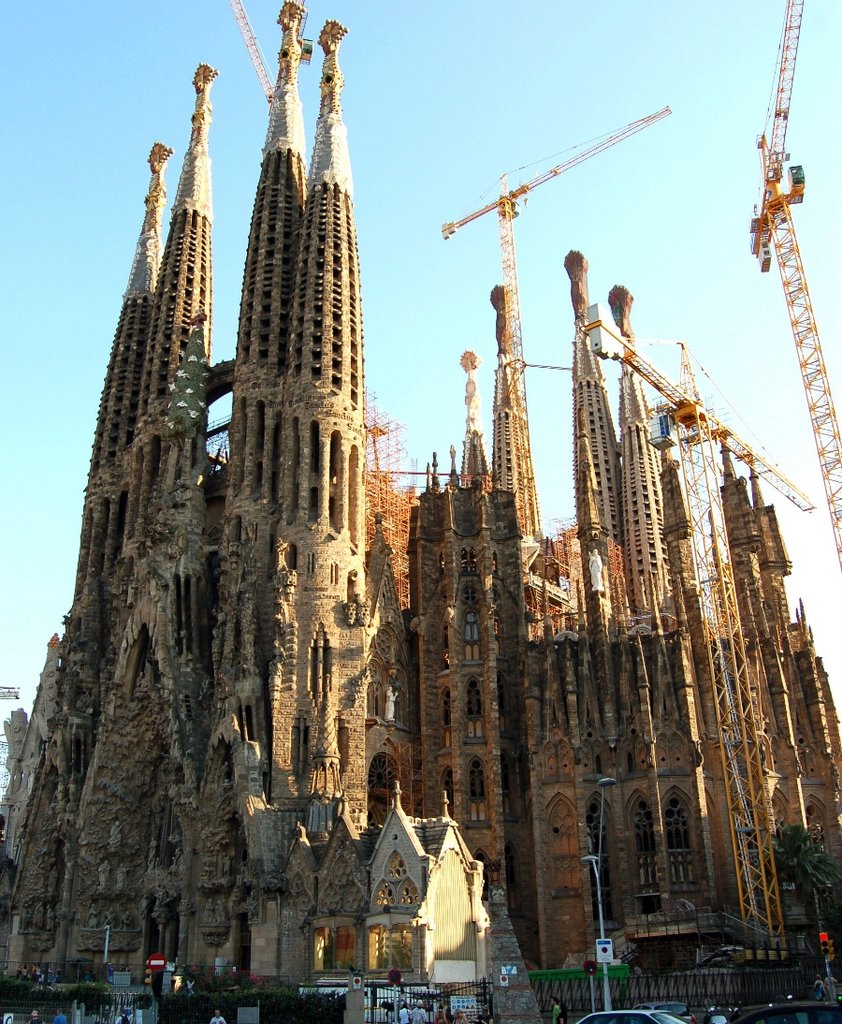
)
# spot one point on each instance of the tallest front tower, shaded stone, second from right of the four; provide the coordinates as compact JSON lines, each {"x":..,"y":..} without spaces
{"x":249,"y":584}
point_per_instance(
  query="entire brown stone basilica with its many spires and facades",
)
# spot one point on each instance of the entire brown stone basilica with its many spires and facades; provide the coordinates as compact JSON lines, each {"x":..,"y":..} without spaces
{"x":354,"y":721}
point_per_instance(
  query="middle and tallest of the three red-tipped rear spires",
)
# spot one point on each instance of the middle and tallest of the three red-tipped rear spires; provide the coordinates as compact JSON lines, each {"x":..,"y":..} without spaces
{"x":591,"y":395}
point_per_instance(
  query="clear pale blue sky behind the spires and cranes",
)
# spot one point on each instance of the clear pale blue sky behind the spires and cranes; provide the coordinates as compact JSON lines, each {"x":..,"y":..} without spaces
{"x":441,"y":99}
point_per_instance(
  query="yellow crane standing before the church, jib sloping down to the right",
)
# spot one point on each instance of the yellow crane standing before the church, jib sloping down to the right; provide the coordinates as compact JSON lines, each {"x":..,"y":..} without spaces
{"x":686,"y":421}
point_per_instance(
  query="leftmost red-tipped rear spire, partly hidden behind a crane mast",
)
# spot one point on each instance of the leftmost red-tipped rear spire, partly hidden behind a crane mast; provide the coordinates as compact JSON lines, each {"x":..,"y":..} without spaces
{"x":514,"y":468}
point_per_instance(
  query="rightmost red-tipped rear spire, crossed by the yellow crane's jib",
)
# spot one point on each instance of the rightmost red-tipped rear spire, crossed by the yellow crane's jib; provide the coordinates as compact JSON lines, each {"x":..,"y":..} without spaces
{"x":646,"y":563}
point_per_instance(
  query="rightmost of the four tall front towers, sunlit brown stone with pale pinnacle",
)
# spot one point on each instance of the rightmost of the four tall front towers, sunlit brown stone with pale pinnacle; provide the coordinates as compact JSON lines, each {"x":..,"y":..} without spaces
{"x":323,"y":616}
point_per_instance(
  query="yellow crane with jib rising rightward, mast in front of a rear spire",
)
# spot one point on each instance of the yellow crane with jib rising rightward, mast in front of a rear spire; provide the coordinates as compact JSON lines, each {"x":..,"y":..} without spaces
{"x":513,"y":368}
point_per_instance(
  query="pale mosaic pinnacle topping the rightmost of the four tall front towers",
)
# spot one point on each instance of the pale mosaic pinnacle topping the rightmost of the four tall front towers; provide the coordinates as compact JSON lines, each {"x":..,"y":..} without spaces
{"x":331,"y":162}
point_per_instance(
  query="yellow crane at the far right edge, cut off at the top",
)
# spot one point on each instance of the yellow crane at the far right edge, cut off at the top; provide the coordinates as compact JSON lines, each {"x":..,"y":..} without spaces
{"x":773,"y":224}
